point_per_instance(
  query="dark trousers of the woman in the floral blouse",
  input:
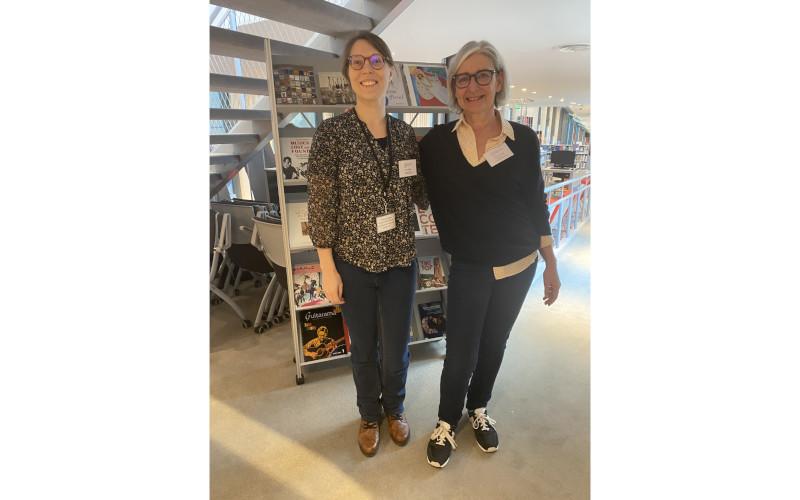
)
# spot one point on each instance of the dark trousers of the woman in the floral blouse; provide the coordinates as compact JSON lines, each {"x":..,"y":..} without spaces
{"x":380,"y":360}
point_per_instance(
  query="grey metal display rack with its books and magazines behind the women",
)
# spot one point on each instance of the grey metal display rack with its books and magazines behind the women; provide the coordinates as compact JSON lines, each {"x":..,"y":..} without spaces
{"x":306,"y":87}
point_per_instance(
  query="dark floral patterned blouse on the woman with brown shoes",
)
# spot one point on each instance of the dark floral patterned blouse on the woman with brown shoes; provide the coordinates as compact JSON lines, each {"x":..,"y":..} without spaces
{"x":346,"y":192}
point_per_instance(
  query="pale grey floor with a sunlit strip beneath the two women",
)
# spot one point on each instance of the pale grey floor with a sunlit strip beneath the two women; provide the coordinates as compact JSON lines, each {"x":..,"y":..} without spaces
{"x":273,"y":439}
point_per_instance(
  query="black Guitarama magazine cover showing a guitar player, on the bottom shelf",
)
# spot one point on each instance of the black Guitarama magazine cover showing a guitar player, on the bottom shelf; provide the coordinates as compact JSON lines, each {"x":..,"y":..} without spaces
{"x":323,"y":333}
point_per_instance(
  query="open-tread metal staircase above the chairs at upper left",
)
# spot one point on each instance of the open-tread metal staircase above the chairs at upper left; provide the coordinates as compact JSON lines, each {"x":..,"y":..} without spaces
{"x":241,"y":127}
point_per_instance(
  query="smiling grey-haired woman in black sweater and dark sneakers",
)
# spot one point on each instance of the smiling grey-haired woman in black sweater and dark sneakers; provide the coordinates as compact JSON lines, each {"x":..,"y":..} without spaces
{"x":487,"y":195}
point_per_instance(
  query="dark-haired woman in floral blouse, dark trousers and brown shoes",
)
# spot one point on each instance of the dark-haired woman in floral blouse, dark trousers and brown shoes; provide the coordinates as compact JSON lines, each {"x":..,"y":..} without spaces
{"x":363,"y":183}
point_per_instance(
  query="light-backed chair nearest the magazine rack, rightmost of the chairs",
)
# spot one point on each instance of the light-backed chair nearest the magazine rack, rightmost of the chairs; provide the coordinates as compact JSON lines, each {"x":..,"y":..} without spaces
{"x":268,"y":238}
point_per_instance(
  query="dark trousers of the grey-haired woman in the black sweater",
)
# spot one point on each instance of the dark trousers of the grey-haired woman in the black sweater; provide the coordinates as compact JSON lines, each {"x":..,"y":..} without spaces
{"x":480,"y":314}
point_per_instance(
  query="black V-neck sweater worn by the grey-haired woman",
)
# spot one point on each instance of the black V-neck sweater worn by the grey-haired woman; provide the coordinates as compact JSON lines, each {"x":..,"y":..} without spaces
{"x":486,"y":215}
